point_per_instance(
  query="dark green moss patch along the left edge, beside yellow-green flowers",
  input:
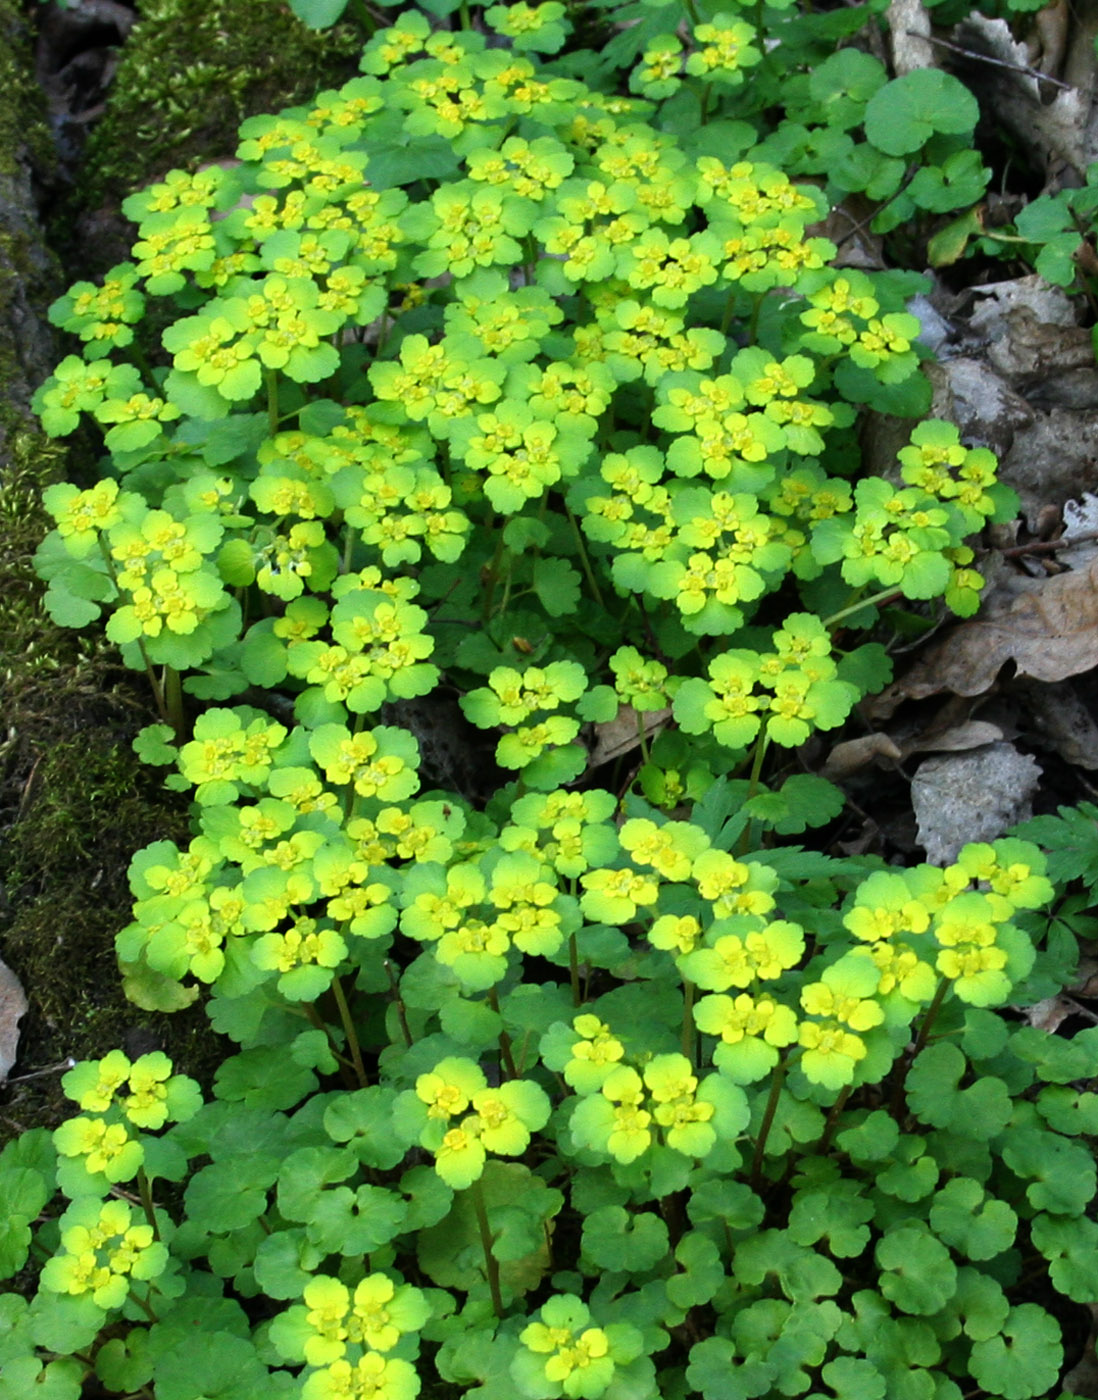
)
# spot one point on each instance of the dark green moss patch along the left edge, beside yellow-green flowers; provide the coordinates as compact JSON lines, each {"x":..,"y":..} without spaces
{"x":75,"y":806}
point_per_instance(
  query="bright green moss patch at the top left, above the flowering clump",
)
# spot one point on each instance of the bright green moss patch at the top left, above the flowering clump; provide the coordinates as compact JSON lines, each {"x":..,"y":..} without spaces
{"x":191,"y":72}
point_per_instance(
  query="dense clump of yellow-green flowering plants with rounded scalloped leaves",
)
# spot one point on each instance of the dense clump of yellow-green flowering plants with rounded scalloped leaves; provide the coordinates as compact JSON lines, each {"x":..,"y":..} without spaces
{"x":531,"y":381}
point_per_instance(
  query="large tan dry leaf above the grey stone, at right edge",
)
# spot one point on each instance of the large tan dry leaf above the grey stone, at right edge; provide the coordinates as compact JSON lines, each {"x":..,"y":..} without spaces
{"x":1050,"y":635}
